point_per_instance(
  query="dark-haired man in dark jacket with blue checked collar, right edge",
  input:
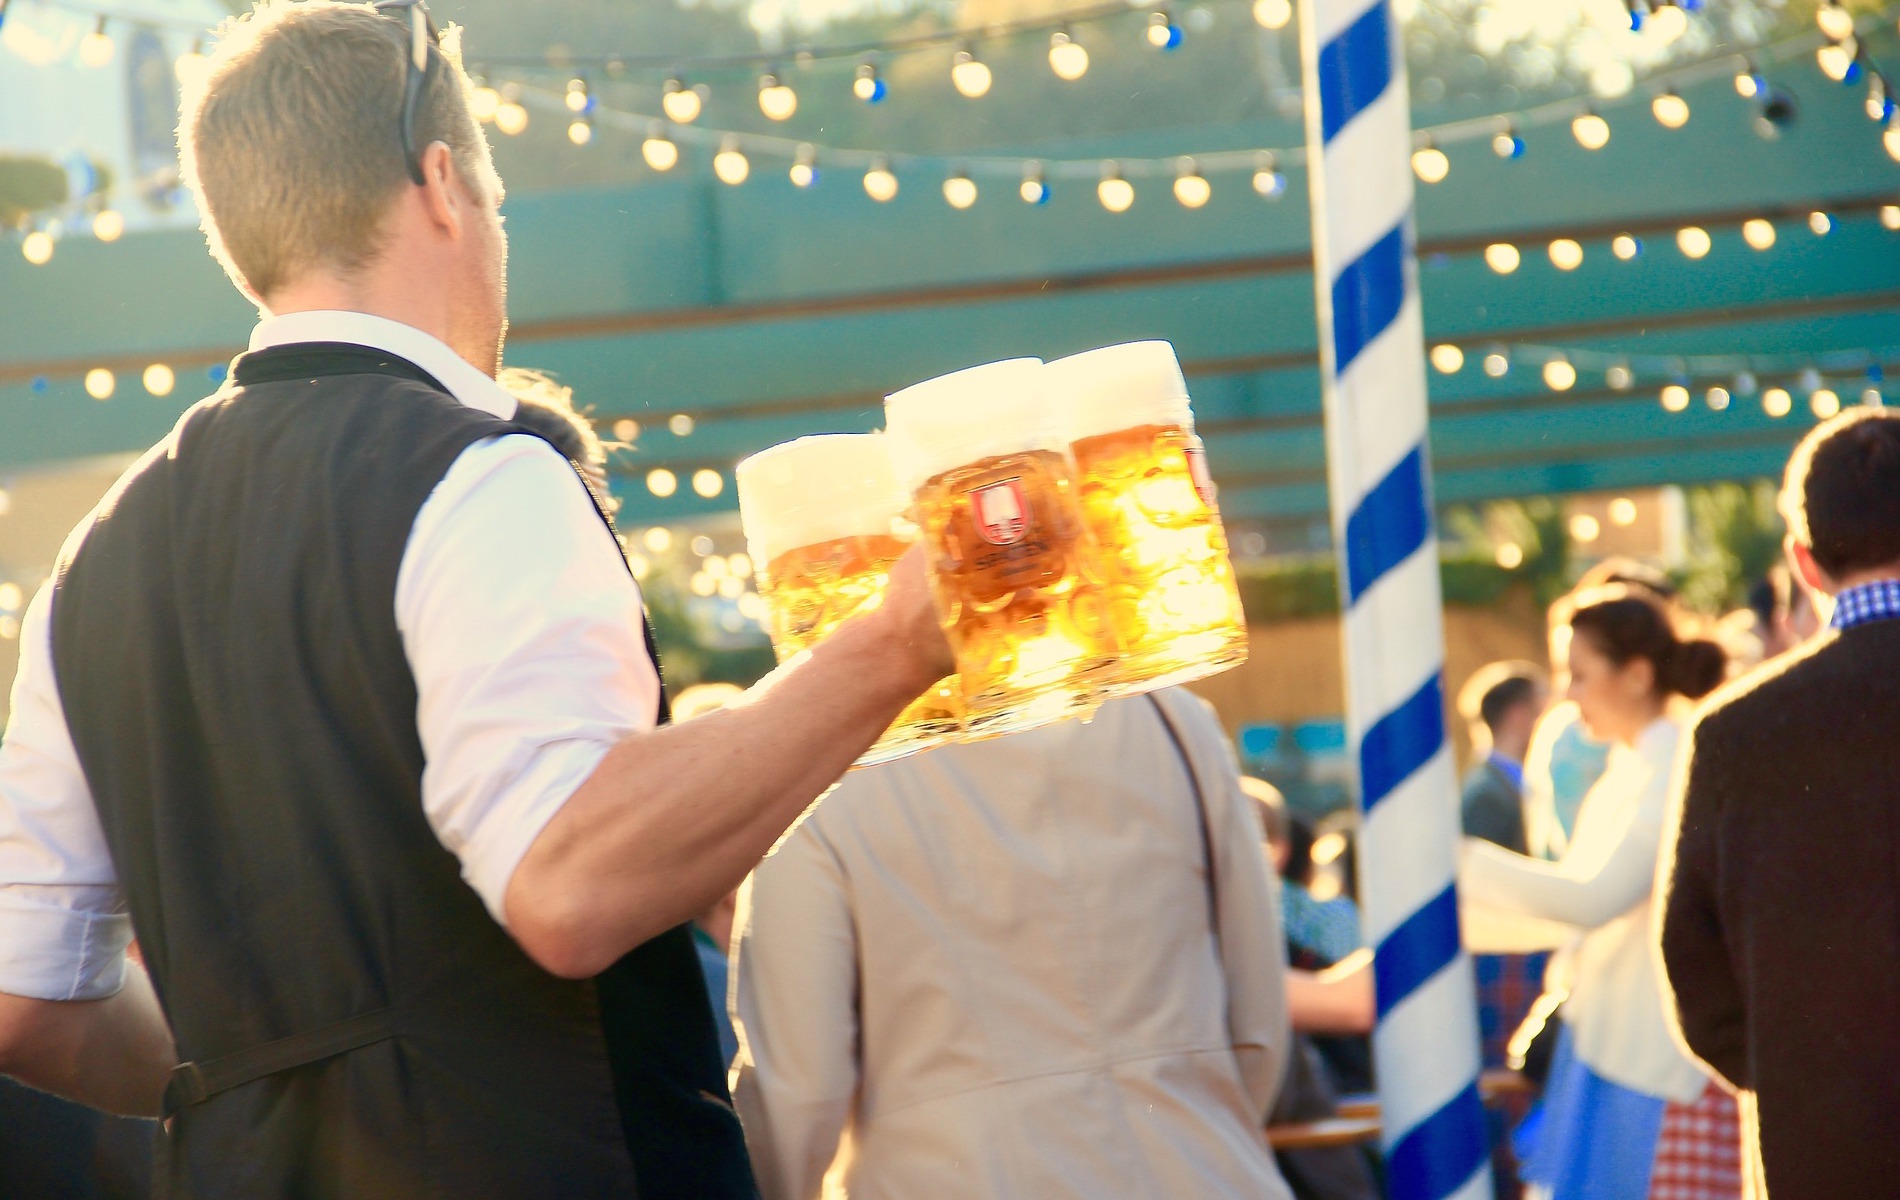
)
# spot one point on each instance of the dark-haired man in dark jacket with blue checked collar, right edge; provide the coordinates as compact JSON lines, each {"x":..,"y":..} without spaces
{"x":1781,"y":867}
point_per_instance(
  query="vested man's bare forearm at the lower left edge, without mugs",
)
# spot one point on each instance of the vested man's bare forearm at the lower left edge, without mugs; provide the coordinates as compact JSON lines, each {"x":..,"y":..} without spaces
{"x":109,"y":1055}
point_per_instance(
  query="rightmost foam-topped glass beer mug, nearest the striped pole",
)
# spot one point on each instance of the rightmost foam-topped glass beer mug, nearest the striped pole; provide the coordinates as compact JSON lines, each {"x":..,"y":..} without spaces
{"x":1149,"y":502}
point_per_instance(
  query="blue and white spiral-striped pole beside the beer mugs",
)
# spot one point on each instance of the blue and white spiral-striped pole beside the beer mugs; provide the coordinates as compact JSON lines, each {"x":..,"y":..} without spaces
{"x":1373,"y":373}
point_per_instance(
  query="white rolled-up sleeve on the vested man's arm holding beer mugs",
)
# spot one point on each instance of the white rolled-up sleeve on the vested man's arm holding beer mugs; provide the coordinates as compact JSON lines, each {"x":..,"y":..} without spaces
{"x":523,"y":631}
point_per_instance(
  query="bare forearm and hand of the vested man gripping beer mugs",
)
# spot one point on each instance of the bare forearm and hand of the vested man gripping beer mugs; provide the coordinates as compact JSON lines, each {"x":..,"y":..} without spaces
{"x":674,"y":819}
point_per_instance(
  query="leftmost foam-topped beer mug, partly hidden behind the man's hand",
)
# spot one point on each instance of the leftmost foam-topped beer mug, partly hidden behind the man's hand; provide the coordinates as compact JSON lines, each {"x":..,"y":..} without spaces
{"x":824,"y":519}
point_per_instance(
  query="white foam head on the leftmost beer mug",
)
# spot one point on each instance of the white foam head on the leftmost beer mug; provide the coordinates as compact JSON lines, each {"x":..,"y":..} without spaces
{"x":818,"y":489}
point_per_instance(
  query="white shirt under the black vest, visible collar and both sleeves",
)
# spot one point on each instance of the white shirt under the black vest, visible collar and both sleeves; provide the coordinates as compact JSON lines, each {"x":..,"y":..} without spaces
{"x":522,"y":629}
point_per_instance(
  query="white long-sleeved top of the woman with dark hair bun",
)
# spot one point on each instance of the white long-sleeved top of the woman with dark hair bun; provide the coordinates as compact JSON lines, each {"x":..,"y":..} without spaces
{"x":1599,"y":899}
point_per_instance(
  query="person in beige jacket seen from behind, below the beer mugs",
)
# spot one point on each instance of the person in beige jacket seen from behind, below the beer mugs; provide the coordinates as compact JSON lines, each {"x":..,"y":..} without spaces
{"x":1036,"y":967}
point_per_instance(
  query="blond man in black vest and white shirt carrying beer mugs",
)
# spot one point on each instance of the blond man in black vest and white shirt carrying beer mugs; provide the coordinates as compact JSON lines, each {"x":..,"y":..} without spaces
{"x":341,"y":703}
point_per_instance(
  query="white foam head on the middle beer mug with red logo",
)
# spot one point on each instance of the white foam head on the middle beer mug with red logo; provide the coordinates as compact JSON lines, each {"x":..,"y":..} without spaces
{"x":970,"y":415}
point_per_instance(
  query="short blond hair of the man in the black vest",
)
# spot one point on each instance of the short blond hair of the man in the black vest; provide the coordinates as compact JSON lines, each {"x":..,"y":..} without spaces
{"x":292,"y":138}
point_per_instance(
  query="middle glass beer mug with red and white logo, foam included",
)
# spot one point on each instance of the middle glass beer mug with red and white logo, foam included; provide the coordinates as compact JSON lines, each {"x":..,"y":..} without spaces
{"x":1012,"y":561}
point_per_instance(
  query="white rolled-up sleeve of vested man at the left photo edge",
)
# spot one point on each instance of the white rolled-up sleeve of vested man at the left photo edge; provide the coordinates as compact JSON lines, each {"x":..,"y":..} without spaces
{"x":64,"y":926}
